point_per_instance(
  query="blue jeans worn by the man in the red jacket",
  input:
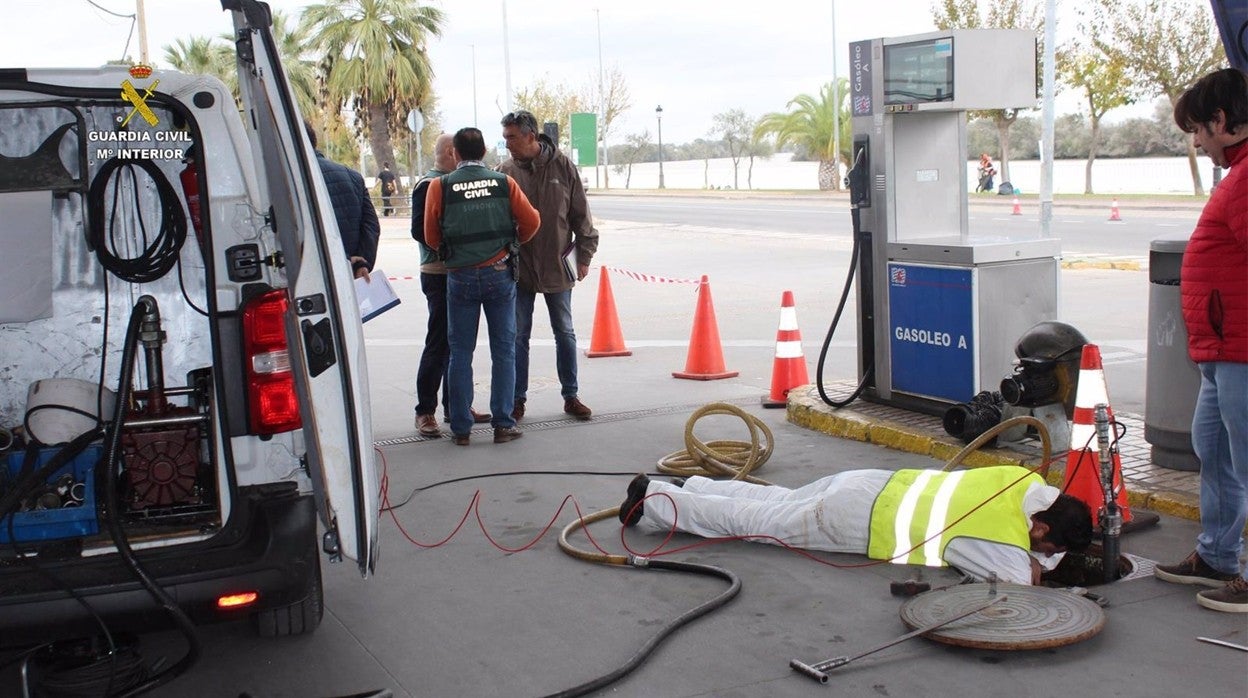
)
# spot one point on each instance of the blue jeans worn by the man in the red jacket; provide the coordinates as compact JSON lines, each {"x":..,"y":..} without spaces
{"x":1220,"y":436}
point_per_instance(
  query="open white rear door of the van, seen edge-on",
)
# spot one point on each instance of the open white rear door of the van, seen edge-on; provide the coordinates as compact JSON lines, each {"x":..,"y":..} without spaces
{"x":324,"y":329}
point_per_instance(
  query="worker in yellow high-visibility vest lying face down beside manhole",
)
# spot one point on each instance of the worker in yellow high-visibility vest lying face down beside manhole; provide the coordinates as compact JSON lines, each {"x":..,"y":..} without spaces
{"x":1002,"y":520}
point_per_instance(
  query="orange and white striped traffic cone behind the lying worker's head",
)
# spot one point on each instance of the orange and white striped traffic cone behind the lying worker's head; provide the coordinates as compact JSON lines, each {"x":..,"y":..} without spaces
{"x":1084,"y":464}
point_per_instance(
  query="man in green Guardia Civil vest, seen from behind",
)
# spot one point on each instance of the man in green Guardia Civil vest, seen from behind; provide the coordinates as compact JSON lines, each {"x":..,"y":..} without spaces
{"x":477,"y":219}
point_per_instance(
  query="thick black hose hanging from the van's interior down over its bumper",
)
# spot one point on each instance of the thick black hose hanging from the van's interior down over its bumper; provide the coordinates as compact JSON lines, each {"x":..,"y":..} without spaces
{"x":112,"y":450}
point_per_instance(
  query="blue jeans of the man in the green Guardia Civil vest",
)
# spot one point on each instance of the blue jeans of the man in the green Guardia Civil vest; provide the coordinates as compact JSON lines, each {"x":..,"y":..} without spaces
{"x":469,"y":293}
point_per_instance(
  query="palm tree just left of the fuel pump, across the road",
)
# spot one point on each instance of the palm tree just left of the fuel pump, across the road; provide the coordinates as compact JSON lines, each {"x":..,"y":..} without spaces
{"x":809,"y":125}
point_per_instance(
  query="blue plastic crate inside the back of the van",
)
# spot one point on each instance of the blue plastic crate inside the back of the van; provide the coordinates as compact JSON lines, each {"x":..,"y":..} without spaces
{"x":68,"y":523}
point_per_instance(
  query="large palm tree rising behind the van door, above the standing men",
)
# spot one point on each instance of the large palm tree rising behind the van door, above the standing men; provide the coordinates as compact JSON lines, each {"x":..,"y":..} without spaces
{"x":375,"y":61}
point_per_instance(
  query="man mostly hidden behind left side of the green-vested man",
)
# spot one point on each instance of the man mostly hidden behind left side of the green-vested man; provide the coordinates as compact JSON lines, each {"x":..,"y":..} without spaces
{"x":432,"y":373}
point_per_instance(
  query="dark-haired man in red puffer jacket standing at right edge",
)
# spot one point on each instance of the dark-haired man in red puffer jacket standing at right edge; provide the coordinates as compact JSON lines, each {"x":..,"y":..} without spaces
{"x":1214,"y":288}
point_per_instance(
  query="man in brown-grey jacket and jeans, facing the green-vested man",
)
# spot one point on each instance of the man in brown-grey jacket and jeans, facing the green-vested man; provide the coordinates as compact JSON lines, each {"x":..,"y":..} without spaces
{"x":552,"y":184}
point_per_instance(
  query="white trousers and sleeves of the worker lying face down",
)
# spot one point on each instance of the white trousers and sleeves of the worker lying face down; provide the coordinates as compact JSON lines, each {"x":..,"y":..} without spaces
{"x":832,"y":515}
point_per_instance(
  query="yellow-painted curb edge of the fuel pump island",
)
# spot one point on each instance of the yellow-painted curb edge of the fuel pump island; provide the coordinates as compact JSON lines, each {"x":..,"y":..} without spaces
{"x":807,"y":410}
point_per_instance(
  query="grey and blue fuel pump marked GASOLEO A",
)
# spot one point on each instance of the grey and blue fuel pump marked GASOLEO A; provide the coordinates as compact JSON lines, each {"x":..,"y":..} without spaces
{"x":939,"y":308}
